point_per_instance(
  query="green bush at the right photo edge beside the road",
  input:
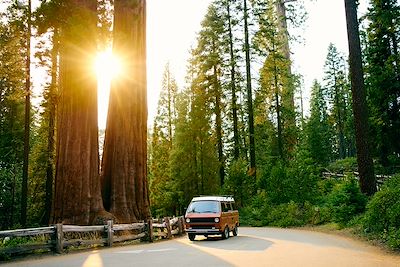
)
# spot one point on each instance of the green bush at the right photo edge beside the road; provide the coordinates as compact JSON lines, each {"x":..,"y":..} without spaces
{"x":382,"y":217}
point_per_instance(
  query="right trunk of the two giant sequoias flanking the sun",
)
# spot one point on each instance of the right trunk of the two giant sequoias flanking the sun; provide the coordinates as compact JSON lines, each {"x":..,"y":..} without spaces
{"x":124,"y":166}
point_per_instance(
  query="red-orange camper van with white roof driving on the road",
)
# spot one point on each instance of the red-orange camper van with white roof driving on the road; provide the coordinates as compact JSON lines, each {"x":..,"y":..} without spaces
{"x":212,"y":215}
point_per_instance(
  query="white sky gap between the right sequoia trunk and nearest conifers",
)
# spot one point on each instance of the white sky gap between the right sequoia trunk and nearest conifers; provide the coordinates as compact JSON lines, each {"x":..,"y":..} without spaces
{"x":171,"y":33}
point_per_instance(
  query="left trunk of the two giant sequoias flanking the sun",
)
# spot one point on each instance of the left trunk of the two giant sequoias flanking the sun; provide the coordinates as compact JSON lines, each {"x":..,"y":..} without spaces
{"x":77,"y":196}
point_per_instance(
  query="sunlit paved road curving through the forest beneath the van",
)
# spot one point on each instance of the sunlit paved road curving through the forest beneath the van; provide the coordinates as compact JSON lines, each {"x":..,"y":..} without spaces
{"x":253,"y":247}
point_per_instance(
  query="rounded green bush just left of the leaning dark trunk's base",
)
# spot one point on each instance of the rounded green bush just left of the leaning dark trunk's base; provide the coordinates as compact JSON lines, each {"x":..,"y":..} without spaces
{"x":346,"y":201}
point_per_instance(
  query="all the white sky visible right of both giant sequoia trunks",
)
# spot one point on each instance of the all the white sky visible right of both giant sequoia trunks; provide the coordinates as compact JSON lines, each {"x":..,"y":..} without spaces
{"x":172,"y":26}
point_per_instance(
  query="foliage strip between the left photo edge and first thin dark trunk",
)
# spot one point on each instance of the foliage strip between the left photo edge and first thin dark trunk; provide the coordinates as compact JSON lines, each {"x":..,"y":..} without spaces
{"x":12,"y":78}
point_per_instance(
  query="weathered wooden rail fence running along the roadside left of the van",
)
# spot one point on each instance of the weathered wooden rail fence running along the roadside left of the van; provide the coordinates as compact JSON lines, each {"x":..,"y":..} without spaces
{"x":59,"y":237}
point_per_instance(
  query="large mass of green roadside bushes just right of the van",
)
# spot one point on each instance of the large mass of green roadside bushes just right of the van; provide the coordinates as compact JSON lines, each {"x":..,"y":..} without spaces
{"x":286,"y":195}
